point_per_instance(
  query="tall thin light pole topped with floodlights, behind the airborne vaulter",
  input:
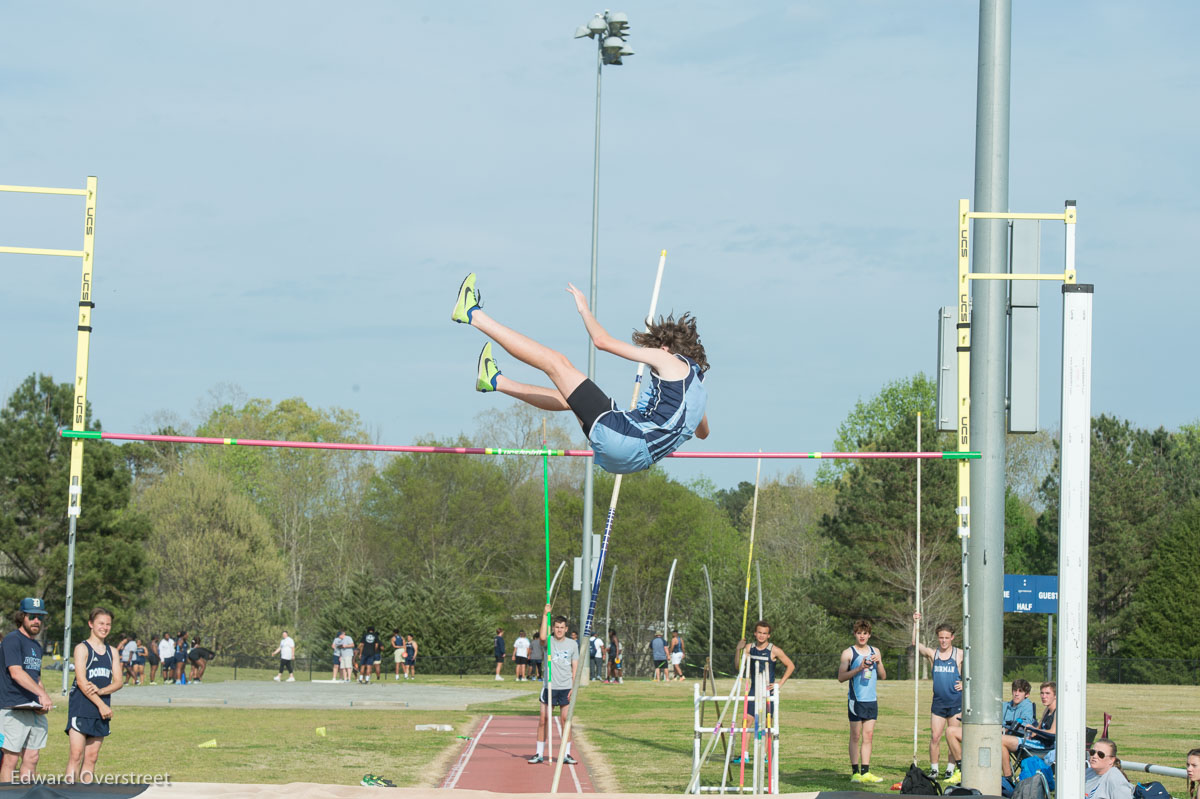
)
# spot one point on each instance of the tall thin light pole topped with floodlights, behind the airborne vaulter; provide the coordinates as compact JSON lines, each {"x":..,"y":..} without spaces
{"x":610,"y":32}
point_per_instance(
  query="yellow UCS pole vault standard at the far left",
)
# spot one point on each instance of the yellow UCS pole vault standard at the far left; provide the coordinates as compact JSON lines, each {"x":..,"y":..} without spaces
{"x":80,"y":406}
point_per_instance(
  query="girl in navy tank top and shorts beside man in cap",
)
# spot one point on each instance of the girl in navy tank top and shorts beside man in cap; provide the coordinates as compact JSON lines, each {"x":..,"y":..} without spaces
{"x":88,"y":711}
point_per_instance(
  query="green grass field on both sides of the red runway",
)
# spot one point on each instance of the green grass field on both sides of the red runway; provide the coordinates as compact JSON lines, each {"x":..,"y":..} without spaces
{"x":639,"y":736}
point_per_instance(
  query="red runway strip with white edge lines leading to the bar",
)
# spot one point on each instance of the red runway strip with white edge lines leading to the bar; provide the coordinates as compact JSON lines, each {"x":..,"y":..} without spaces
{"x":496,"y":760}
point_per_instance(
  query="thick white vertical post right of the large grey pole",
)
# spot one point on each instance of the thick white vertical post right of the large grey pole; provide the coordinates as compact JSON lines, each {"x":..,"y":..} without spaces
{"x":1073,"y":525}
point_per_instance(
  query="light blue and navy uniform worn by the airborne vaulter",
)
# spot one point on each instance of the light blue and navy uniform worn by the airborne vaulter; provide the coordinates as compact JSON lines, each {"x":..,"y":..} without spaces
{"x":667,"y":416}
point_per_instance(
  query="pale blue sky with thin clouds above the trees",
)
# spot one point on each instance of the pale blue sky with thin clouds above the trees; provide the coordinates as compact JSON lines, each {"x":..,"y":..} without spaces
{"x":290,"y":195}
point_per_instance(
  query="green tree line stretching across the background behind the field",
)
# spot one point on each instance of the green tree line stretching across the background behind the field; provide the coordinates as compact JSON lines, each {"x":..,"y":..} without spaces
{"x":236,"y":544}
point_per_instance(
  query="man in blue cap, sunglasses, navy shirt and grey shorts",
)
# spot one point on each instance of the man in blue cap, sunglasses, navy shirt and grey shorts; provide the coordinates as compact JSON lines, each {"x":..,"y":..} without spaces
{"x":23,"y":701}
